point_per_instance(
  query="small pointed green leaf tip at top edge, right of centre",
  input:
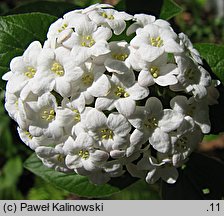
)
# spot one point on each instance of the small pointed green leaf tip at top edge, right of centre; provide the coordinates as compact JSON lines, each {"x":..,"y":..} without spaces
{"x":169,"y":9}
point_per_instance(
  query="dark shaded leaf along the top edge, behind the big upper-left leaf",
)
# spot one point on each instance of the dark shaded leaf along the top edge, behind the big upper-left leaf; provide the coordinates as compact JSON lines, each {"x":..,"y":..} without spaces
{"x":50,"y":7}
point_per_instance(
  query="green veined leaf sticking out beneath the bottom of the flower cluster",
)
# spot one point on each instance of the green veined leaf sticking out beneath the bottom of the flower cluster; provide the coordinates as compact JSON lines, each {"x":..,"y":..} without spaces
{"x":73,"y":183}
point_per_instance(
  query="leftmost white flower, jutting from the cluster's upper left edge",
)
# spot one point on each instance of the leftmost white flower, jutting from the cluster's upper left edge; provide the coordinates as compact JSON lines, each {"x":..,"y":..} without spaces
{"x":23,"y":68}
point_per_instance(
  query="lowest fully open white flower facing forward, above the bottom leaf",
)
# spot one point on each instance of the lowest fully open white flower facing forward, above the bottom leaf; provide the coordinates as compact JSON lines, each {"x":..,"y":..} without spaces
{"x":82,"y":153}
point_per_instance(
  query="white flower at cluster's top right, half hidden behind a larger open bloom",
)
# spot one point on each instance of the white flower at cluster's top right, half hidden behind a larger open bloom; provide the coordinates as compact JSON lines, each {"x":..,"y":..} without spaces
{"x":142,"y":20}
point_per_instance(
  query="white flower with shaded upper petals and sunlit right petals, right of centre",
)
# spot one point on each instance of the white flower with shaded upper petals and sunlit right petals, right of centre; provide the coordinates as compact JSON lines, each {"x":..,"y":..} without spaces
{"x":155,"y":123}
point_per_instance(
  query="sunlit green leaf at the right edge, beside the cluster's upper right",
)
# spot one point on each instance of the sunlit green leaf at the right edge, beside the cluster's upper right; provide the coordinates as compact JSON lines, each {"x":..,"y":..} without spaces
{"x":214,"y":55}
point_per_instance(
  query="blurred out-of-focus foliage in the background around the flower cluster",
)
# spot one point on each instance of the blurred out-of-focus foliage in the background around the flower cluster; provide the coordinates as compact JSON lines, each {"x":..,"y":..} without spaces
{"x":201,"y":20}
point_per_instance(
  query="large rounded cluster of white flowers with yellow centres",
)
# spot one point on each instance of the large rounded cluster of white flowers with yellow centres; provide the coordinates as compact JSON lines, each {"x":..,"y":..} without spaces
{"x":90,"y":104}
